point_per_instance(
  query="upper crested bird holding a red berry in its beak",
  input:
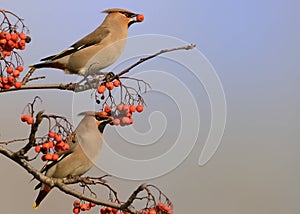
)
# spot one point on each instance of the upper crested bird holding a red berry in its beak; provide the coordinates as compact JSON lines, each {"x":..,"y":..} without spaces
{"x":97,"y":50}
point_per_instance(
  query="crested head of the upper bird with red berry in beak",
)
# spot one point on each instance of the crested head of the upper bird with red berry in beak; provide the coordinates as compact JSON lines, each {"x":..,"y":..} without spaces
{"x":127,"y":16}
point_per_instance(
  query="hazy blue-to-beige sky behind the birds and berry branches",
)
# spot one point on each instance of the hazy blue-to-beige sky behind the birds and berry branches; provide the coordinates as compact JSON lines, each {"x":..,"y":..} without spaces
{"x":246,"y":50}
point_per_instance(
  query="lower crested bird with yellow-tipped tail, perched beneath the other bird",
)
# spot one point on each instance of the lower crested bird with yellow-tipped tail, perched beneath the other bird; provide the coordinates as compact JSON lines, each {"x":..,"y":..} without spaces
{"x":85,"y":146}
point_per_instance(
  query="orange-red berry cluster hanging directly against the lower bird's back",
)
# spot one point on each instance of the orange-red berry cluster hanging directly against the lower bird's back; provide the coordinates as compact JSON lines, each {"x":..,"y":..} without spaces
{"x":53,"y":144}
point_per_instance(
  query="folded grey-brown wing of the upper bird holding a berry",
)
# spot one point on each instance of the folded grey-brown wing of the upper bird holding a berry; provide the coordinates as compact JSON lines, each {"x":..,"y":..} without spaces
{"x":91,"y":39}
